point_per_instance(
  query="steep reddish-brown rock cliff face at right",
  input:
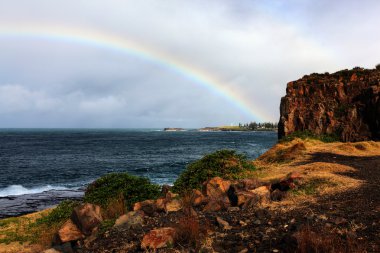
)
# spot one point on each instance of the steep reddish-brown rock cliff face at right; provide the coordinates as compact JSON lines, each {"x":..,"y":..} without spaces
{"x":346,"y":103}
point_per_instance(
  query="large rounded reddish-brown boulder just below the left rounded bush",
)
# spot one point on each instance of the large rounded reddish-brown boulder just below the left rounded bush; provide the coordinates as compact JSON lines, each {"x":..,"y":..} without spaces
{"x":87,"y":217}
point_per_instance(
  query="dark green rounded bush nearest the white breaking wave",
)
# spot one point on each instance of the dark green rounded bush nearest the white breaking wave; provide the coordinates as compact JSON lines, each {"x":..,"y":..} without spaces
{"x":110,"y":187}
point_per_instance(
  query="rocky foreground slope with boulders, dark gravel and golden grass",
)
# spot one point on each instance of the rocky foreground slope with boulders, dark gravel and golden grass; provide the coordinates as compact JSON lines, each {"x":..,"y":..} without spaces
{"x":309,"y":197}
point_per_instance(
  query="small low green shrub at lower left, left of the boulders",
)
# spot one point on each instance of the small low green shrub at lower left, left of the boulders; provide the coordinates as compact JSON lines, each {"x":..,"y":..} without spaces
{"x":59,"y":214}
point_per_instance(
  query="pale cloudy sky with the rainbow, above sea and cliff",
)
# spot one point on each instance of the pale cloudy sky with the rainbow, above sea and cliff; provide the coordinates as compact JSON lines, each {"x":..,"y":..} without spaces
{"x":171,"y":63}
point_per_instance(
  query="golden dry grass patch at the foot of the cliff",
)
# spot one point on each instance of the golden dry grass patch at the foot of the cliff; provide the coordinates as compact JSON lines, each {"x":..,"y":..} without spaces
{"x":298,"y":156}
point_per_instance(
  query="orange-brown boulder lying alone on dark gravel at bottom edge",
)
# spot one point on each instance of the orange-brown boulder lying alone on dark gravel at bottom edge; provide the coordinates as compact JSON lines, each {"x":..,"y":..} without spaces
{"x":159,"y":238}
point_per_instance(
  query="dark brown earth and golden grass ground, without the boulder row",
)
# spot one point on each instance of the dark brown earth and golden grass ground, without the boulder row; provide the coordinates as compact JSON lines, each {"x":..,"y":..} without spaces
{"x":334,"y":208}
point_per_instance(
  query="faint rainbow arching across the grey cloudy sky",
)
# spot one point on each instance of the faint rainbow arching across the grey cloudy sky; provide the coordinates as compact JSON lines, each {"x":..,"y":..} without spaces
{"x":130,"y":47}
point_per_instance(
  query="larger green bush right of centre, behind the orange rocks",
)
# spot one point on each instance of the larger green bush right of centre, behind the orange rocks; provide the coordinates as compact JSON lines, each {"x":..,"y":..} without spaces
{"x":223,"y":163}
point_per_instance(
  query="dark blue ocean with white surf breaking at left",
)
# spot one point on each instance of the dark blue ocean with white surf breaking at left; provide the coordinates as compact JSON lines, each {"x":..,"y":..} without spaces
{"x":41,"y":167}
